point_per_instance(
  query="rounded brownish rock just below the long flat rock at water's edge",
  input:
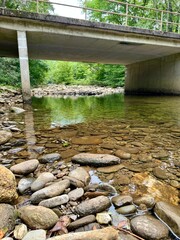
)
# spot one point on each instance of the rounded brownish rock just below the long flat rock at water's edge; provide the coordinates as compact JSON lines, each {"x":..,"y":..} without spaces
{"x":80,"y":174}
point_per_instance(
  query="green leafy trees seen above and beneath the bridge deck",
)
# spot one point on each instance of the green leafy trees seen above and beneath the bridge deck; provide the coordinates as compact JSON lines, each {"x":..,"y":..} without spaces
{"x":59,"y":72}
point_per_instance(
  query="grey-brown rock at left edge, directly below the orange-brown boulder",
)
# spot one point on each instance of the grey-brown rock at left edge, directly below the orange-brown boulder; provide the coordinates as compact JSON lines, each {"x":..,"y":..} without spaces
{"x":7,"y":217}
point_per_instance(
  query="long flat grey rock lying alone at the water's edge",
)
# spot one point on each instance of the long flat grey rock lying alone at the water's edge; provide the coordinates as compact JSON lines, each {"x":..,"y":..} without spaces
{"x":95,"y":159}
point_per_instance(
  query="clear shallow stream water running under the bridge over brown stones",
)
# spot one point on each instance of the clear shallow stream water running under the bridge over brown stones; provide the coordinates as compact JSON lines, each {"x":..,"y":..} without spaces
{"x":146,"y":127}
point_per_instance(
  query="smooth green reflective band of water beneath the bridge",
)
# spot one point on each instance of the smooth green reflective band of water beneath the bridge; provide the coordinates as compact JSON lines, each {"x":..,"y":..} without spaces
{"x":65,"y":111}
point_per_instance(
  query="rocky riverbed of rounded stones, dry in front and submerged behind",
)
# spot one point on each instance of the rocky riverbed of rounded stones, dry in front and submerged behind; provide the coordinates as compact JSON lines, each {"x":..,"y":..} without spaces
{"x":86,"y":181}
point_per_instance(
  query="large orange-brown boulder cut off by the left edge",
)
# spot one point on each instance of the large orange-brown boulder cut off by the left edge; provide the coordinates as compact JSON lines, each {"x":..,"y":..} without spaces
{"x":7,"y":186}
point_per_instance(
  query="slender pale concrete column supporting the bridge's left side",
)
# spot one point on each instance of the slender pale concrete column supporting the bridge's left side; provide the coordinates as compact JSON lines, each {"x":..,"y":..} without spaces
{"x":24,"y":65}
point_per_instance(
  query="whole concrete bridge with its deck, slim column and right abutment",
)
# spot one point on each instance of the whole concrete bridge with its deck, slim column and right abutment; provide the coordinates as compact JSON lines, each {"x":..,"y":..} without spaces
{"x":152,"y":57}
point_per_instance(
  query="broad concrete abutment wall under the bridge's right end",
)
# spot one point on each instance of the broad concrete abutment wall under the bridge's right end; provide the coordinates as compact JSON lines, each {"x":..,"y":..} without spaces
{"x":157,"y":76}
